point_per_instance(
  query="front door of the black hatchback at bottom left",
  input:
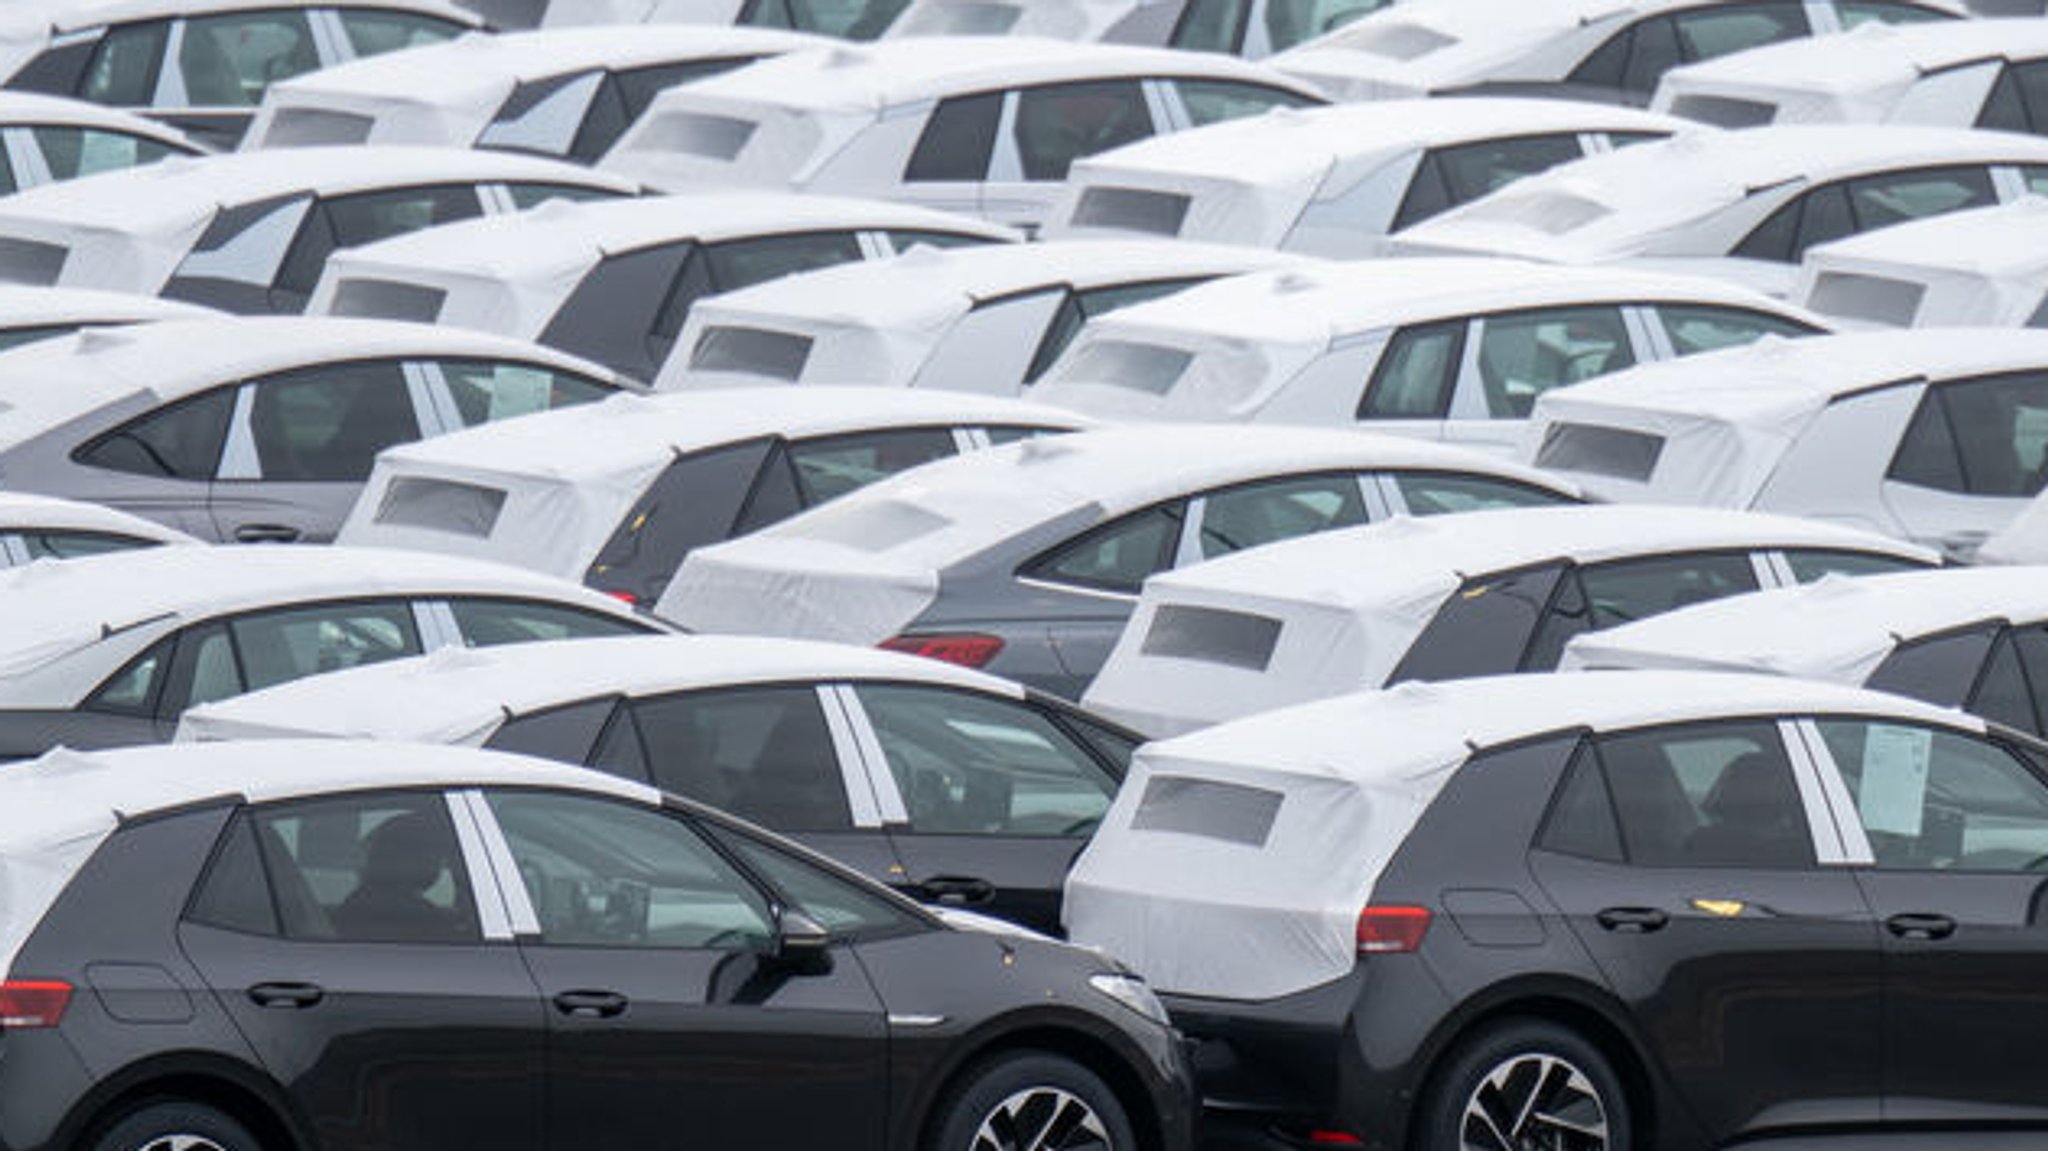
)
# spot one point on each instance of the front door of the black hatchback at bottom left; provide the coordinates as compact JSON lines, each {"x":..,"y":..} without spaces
{"x":671,"y":1021}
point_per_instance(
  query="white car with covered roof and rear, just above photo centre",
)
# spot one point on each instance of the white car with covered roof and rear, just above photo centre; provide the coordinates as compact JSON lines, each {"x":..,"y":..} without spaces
{"x":982,"y":321}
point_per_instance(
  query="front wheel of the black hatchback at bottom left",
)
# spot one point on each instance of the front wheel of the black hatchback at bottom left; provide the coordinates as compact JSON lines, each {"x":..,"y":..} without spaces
{"x":1031,"y":1101}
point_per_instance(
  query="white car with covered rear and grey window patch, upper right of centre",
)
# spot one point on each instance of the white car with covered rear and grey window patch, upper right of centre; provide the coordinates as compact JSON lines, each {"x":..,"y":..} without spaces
{"x":1334,"y":181}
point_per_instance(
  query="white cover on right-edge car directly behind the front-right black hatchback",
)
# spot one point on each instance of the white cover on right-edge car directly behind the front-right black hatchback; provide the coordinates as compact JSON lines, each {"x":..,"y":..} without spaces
{"x":1832,"y":630}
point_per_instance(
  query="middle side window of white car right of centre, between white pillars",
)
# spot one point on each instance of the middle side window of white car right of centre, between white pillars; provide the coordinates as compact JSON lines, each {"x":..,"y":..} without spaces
{"x":1529,"y":353}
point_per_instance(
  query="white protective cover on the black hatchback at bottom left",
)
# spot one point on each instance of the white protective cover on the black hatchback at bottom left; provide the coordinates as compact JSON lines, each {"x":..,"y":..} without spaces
{"x":58,"y":810}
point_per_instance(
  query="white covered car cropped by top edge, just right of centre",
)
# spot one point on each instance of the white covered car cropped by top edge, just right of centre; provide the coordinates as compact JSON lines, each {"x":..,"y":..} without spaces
{"x":1240,"y":28}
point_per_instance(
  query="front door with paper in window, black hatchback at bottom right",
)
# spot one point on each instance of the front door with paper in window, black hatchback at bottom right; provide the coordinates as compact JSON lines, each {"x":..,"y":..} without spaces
{"x":1955,"y":837}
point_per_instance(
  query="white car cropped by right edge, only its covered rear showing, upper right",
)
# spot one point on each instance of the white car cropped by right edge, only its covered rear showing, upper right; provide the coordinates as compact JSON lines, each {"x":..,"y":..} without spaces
{"x":1969,"y":269}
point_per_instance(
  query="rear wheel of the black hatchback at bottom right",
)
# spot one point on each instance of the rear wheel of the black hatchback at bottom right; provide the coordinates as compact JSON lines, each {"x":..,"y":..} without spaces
{"x":1484,"y":1093}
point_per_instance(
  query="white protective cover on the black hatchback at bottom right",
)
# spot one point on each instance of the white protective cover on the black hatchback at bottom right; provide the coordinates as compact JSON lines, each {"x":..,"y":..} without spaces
{"x":1256,"y":894}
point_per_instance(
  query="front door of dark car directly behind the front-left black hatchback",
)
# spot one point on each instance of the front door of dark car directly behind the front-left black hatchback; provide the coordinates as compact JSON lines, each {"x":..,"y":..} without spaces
{"x":988,"y":798}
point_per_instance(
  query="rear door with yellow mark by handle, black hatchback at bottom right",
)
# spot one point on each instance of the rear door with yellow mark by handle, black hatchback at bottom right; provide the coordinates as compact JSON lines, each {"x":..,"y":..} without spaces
{"x":1695,"y":863}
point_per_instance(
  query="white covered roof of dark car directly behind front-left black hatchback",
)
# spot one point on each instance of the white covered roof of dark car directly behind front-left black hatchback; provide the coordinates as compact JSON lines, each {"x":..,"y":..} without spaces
{"x":464,"y":695}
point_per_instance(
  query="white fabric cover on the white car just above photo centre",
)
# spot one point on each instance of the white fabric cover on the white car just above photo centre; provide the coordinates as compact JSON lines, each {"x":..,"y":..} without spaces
{"x":884,"y":323}
